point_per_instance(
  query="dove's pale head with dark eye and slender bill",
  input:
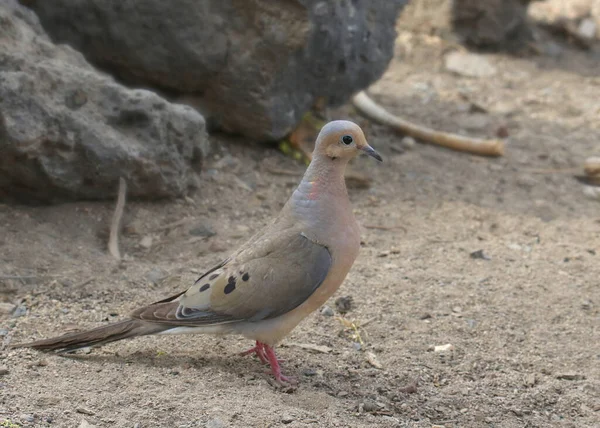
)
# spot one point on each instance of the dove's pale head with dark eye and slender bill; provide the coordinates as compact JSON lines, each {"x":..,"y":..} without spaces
{"x":342,"y":140}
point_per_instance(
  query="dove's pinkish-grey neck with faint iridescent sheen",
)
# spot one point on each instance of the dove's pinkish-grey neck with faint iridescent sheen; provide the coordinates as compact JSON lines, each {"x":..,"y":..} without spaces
{"x":322,"y":183}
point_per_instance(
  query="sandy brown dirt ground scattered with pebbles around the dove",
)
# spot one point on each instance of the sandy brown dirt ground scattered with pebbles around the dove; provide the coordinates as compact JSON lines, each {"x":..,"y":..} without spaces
{"x":524,"y":320}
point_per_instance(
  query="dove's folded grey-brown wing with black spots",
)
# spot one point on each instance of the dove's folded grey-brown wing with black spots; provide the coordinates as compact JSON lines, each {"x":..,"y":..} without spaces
{"x":265,"y":280}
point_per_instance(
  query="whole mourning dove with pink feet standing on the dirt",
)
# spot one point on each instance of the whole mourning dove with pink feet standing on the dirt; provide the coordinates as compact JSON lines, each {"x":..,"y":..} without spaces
{"x":274,"y":280}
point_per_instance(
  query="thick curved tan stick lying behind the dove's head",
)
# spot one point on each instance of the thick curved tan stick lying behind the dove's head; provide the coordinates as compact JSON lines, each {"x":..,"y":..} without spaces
{"x":476,"y":146}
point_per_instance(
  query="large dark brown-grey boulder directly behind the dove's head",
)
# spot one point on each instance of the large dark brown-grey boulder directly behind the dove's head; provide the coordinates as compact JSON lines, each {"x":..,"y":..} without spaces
{"x":258,"y":65}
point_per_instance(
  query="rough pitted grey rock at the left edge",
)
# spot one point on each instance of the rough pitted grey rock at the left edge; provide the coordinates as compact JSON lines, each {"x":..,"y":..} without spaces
{"x":69,"y":132}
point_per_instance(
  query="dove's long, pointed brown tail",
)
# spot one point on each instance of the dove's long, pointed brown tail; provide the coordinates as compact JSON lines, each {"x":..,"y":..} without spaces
{"x":96,"y":337}
